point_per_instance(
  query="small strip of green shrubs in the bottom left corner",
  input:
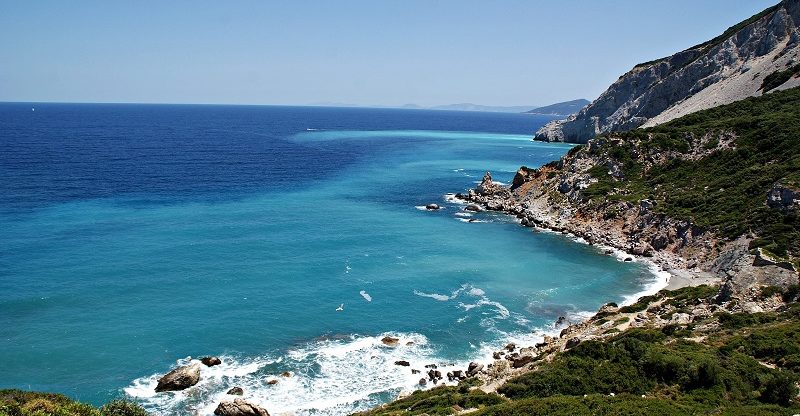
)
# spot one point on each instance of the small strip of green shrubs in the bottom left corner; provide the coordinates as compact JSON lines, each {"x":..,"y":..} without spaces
{"x":26,"y":403}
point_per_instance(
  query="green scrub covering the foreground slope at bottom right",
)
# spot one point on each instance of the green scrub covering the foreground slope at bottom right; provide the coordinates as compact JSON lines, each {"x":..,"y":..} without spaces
{"x":750,"y":368}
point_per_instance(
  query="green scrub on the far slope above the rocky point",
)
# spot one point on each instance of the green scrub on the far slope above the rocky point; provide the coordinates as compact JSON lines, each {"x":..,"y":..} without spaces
{"x":726,"y":189}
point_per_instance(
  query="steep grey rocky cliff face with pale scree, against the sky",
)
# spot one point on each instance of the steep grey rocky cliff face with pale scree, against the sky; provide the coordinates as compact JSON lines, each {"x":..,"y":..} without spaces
{"x":728,"y":68}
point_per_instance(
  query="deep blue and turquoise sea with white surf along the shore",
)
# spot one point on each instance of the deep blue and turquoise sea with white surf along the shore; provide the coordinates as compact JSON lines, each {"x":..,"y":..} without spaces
{"x":137,"y":237}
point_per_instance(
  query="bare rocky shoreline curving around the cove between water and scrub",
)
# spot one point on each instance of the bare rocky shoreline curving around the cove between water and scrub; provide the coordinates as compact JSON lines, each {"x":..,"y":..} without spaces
{"x":691,"y":256}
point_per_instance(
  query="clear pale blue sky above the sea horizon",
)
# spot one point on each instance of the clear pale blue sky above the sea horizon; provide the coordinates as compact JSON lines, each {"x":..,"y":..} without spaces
{"x":365,"y":52}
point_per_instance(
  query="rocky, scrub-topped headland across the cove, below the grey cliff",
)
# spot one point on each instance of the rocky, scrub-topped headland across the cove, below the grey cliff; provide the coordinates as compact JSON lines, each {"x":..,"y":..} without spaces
{"x":716,"y":193}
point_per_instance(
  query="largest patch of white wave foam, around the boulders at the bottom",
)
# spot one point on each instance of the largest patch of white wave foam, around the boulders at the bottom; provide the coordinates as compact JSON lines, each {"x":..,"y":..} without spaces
{"x":329,"y":377}
